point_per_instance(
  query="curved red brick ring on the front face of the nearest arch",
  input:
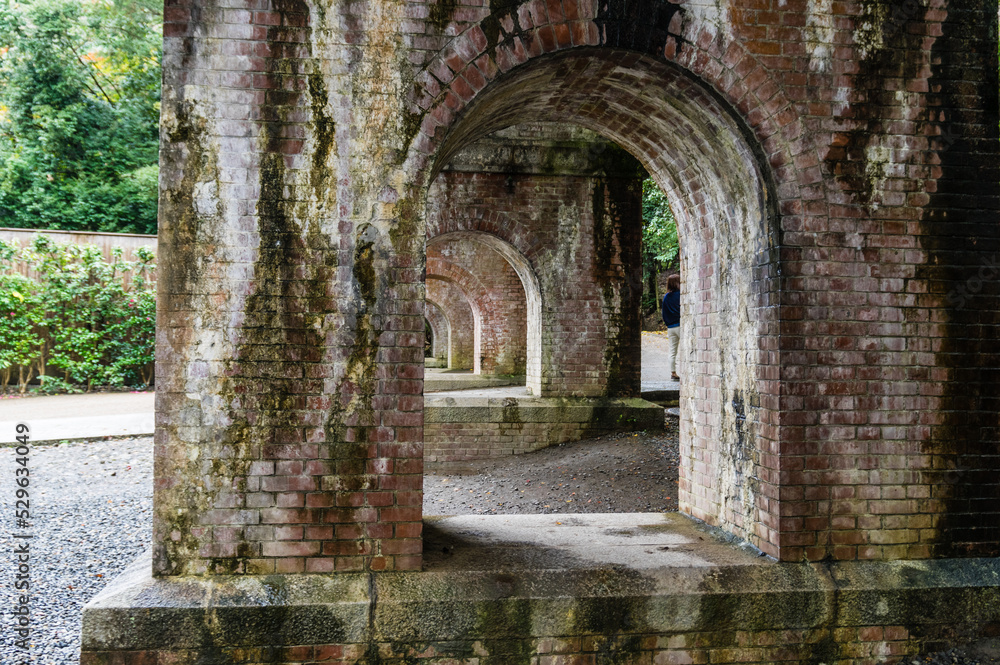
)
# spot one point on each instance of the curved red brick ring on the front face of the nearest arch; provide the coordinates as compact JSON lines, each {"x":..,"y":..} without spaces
{"x":723,"y":68}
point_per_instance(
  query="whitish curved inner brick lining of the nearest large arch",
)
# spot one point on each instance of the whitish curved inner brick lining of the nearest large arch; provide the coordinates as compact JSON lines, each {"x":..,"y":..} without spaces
{"x":718,"y":183}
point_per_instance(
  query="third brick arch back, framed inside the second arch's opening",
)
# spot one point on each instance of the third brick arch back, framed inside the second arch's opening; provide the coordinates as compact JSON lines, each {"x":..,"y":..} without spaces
{"x":493,"y":341}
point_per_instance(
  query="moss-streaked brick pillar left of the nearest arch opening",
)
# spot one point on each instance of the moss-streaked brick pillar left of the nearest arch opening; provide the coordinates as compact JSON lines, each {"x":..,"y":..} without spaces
{"x":290,"y":321}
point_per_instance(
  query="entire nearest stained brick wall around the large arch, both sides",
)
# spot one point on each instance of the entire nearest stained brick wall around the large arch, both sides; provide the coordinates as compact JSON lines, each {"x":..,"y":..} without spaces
{"x":833,"y":167}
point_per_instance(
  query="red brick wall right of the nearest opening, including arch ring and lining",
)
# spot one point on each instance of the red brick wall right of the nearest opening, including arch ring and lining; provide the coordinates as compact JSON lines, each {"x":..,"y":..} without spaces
{"x":860,"y":422}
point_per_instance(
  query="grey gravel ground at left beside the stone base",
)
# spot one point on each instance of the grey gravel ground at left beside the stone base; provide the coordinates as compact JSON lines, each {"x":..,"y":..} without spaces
{"x":91,"y":515}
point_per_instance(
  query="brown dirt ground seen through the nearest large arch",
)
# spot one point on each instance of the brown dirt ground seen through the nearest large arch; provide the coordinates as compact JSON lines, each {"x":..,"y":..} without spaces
{"x":620,"y":473}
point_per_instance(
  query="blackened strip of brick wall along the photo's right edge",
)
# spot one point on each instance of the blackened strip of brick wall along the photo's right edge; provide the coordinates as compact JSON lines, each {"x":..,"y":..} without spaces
{"x":962,"y":246}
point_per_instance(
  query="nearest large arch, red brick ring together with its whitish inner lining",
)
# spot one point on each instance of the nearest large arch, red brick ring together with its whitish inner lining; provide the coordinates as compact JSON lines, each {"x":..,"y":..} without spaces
{"x":718,"y":136}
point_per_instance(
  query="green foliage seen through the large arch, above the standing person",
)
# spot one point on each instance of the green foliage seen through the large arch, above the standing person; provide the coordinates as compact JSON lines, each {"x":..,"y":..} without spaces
{"x":660,"y":248}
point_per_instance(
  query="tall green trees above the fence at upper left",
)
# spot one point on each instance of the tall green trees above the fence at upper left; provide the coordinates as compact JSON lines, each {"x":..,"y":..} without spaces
{"x":79,"y":113}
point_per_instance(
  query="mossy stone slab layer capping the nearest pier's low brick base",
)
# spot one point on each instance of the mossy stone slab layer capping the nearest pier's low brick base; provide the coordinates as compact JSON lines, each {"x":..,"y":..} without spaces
{"x":525,"y":577}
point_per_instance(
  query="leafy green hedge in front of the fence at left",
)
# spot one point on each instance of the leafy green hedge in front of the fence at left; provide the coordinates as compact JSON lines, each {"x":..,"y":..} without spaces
{"x":90,"y":321}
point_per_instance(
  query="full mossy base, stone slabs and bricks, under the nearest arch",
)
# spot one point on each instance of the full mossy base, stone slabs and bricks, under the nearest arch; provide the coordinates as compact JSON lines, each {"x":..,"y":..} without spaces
{"x":512,"y":589}
